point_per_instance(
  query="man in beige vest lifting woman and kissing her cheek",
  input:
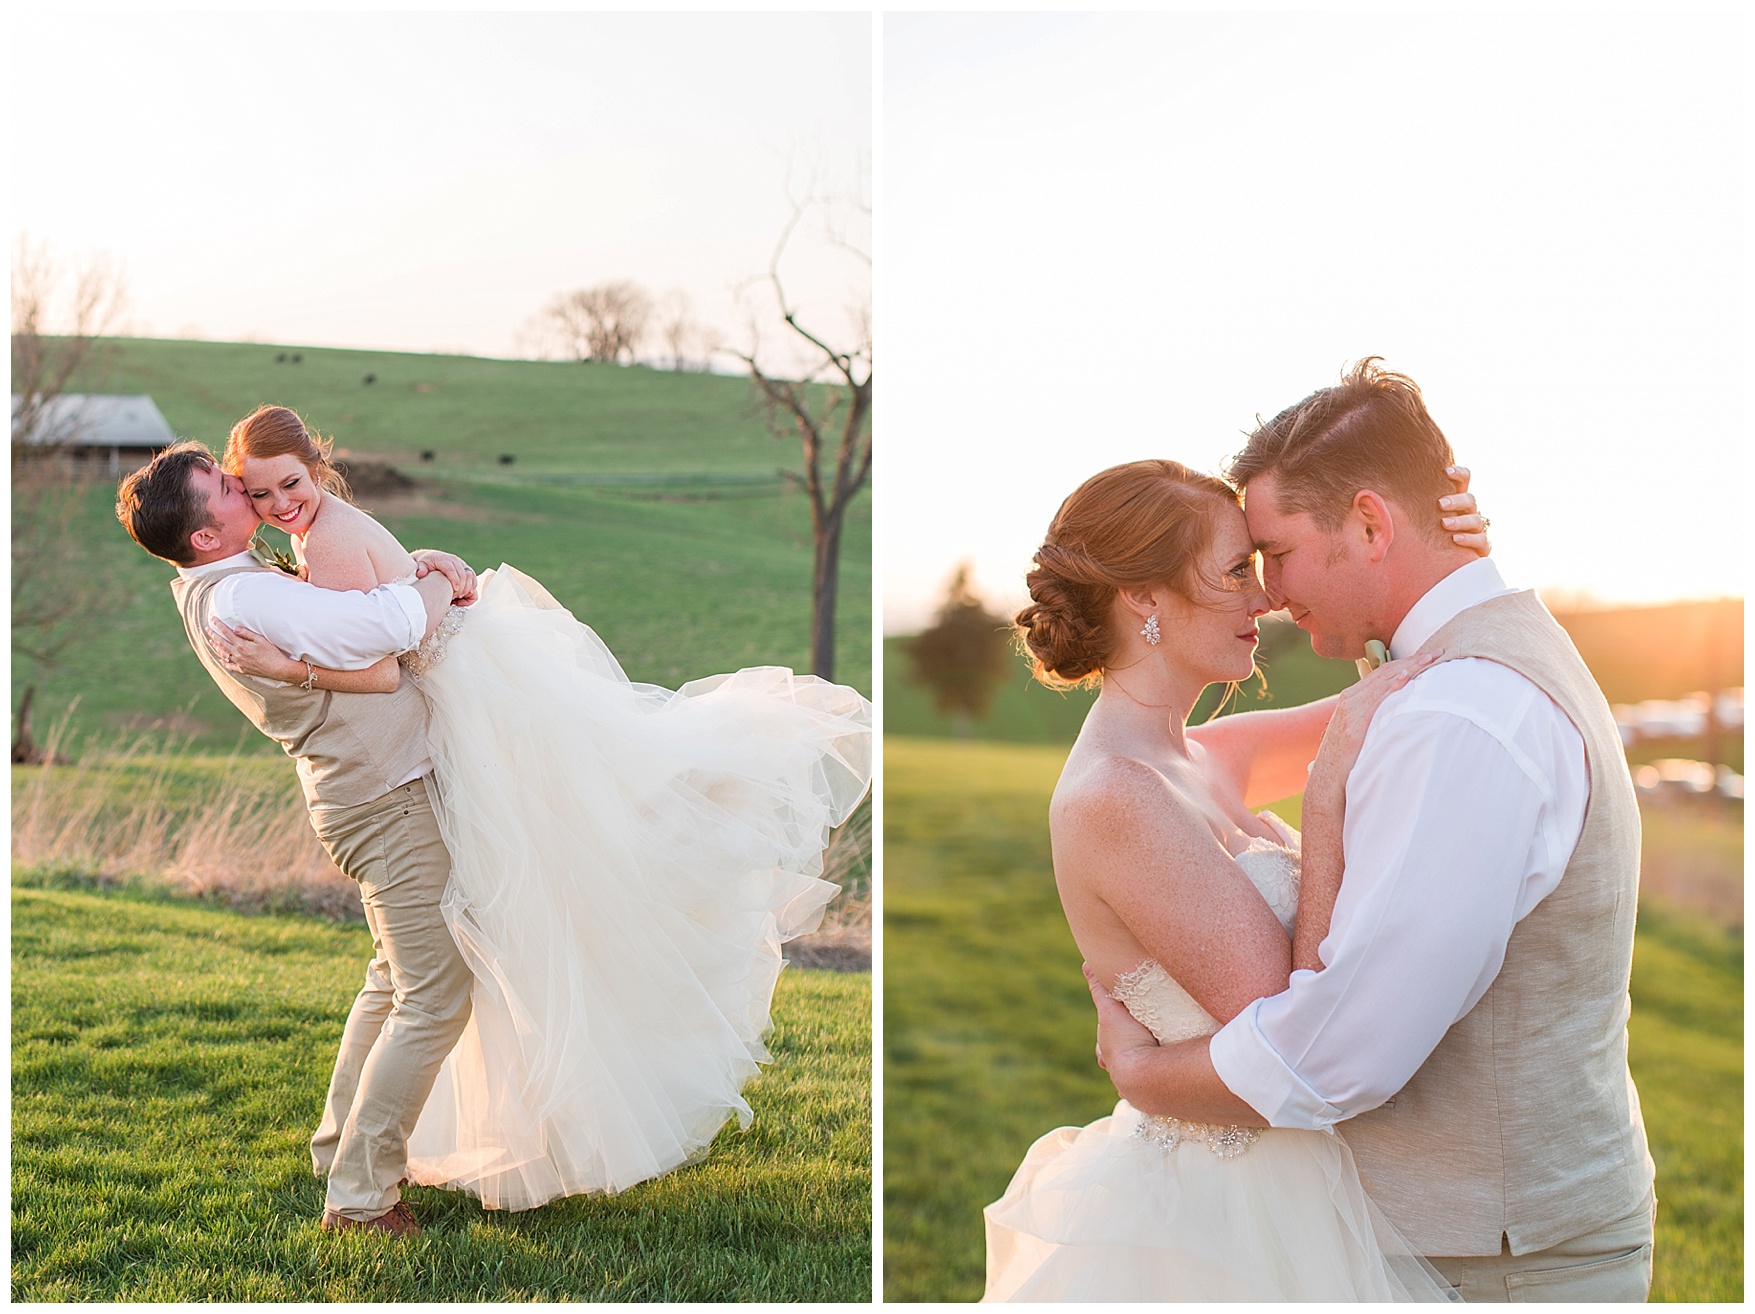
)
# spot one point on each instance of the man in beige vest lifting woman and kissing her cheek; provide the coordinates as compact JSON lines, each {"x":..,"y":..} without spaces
{"x":362,"y":762}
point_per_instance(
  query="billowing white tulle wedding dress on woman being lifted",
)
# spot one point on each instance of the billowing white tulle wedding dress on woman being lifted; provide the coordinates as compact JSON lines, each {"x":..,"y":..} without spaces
{"x":626,"y":864}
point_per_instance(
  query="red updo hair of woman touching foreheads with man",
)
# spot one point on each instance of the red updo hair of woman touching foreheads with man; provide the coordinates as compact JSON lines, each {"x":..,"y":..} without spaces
{"x":1129,"y":527}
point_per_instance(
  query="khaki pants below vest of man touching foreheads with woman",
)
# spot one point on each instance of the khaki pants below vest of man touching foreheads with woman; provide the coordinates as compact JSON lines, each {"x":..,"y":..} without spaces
{"x":1610,"y":1264}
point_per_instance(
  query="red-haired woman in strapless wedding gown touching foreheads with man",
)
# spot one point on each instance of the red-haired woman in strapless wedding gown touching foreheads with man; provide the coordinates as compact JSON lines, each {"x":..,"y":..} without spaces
{"x":1186,"y":904}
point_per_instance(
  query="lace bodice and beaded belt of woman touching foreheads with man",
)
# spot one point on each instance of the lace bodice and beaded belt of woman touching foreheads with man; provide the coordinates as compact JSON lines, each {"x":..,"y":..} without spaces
{"x":1171,"y":1013}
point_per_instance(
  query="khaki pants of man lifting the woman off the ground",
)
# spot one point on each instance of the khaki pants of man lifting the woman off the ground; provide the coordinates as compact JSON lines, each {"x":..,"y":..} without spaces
{"x":412,"y":1010}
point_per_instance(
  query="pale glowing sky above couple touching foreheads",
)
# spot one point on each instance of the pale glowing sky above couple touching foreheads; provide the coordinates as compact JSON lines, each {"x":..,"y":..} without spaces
{"x":1124,"y":236}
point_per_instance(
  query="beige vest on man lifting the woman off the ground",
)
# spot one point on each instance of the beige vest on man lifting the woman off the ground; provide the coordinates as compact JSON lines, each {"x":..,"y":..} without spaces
{"x":352,"y":748}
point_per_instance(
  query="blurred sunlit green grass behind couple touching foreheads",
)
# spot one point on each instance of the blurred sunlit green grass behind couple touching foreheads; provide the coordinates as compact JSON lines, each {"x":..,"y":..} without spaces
{"x":989,"y":1029}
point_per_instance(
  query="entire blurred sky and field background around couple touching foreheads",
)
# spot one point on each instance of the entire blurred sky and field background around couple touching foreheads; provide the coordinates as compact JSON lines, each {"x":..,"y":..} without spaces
{"x":1112,"y":238}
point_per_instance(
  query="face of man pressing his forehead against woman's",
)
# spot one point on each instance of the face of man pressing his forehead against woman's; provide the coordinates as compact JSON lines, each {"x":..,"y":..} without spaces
{"x":1310,"y":573}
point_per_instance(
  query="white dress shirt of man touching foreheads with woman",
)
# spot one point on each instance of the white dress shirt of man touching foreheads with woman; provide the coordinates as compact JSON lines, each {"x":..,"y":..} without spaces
{"x":1461,"y":817}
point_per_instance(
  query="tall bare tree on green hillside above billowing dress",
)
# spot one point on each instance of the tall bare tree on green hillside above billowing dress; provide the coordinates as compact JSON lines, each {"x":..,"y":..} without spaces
{"x":829,"y":410}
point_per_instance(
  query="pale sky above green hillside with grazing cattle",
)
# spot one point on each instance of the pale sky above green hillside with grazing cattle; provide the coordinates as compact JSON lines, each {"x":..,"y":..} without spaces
{"x":427,"y":182}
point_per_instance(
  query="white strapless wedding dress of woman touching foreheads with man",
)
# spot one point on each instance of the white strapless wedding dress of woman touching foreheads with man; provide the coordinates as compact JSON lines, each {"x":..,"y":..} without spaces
{"x":1138,"y":1208}
